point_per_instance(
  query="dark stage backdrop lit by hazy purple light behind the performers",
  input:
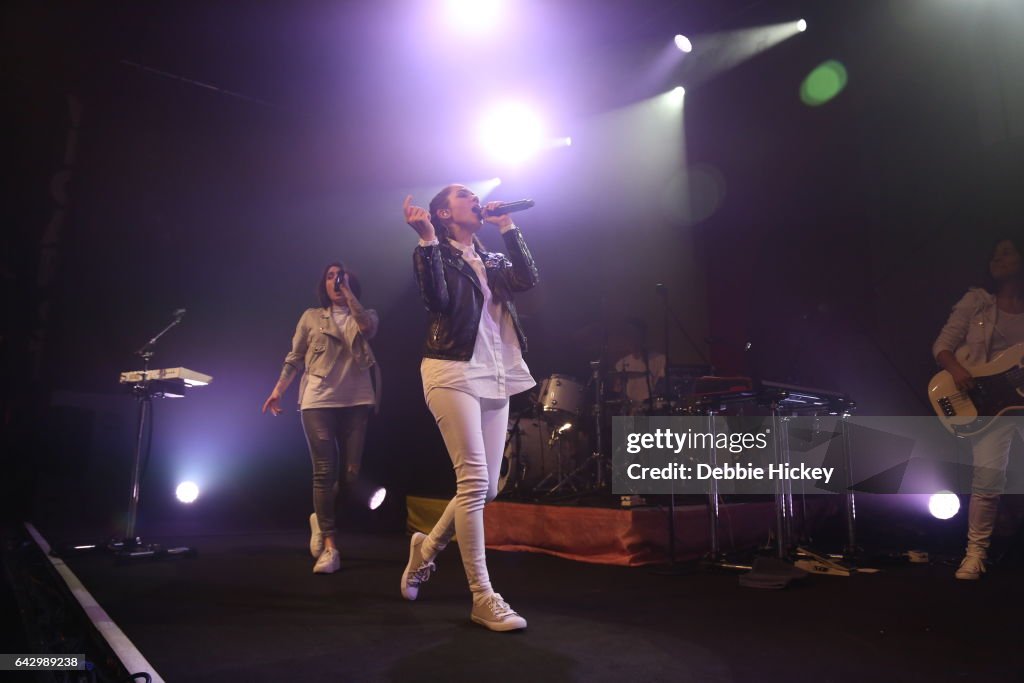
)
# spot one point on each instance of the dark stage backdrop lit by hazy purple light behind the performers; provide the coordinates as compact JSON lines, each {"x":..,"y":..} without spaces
{"x":830,"y":242}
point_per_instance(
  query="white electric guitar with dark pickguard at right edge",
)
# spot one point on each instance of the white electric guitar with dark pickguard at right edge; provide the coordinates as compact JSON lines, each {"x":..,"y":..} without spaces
{"x":999,"y":390}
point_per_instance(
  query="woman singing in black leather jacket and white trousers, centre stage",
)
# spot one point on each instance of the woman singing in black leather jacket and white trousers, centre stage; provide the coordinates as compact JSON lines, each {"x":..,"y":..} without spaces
{"x":473,"y":364}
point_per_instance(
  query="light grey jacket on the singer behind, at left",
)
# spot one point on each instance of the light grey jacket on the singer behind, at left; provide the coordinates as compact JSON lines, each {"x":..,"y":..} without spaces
{"x":319,"y":343}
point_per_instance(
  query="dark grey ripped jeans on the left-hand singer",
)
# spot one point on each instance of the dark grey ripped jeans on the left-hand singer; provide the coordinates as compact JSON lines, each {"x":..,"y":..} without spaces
{"x":335,"y":437}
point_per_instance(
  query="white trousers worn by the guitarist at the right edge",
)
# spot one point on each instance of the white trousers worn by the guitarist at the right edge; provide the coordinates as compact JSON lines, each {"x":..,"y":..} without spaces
{"x":992,"y":454}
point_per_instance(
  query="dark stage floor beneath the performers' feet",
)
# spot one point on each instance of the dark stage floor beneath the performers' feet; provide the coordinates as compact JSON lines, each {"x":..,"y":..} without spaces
{"x":249,"y":609}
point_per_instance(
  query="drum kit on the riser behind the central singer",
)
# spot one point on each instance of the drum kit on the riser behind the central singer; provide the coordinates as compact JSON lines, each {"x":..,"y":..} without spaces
{"x":554,"y":448}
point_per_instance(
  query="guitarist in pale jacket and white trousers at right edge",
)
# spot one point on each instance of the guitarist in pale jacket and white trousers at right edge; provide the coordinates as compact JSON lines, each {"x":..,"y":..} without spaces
{"x":986,"y":323}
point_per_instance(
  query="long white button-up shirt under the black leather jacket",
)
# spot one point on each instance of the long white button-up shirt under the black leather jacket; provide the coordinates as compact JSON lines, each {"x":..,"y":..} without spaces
{"x":497,"y":369}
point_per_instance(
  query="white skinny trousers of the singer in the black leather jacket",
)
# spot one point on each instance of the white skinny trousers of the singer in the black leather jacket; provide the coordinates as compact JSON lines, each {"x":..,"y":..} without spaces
{"x":475,"y":432}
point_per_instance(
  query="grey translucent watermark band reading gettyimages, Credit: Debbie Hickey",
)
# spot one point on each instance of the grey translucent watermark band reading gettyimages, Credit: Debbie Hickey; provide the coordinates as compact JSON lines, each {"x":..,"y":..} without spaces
{"x":817,"y":455}
